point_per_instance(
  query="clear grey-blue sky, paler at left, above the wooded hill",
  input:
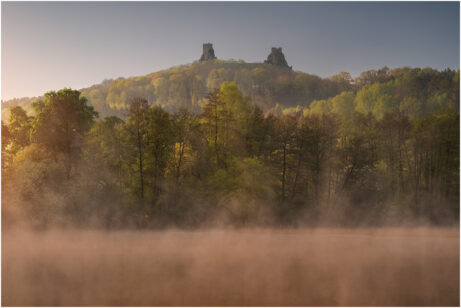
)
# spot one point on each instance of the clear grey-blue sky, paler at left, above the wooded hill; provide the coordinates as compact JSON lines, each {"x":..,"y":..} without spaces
{"x":51,"y":45}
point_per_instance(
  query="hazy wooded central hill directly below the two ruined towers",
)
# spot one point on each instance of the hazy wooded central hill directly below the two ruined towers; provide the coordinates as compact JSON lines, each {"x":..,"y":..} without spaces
{"x":187,"y":86}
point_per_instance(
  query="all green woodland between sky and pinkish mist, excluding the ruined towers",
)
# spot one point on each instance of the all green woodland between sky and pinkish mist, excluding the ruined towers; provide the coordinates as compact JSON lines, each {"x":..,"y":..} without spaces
{"x":240,"y":144}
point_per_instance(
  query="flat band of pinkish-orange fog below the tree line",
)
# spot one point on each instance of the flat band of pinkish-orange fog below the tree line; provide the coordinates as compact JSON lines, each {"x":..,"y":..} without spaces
{"x":388,"y":266}
